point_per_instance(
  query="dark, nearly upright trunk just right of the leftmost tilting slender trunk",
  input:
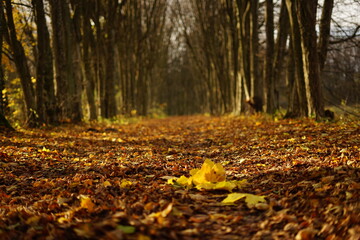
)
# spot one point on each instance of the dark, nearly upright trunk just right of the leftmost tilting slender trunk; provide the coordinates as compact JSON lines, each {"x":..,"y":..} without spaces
{"x":45,"y":91}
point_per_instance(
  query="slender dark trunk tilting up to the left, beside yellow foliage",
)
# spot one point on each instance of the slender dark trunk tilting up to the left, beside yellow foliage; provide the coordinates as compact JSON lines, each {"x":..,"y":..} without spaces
{"x":22,"y":68}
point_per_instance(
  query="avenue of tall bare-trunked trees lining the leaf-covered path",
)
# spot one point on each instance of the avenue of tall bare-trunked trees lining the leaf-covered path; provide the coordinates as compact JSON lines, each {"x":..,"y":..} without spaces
{"x":70,"y":60}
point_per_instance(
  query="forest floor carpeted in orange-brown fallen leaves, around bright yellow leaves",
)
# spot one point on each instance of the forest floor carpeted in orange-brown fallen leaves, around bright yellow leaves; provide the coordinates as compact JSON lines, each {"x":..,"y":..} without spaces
{"x":110,"y":181}
